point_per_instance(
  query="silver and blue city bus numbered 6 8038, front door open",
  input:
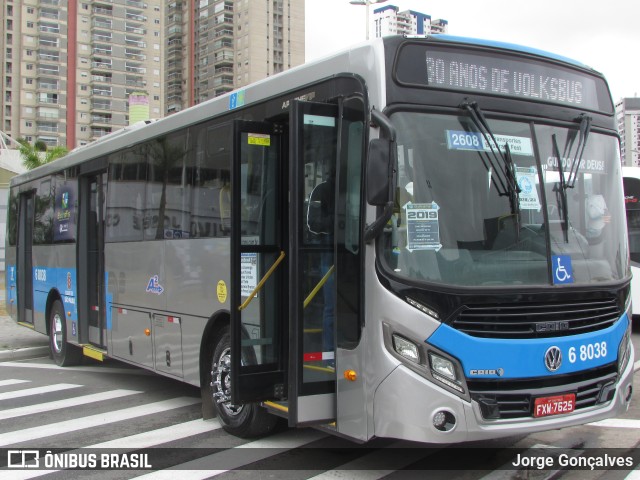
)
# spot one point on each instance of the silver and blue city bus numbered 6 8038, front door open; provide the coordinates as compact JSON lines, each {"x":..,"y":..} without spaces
{"x":464,"y":286}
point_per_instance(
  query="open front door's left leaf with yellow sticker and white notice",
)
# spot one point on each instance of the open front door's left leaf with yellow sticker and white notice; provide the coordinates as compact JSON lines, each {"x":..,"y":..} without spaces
{"x":258,"y":265}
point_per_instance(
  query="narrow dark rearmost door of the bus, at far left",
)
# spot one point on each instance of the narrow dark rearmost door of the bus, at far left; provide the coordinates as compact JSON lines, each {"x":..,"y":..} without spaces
{"x":25,"y":259}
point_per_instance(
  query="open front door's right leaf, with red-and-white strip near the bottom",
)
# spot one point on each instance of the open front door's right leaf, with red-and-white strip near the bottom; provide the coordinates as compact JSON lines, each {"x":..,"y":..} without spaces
{"x":312,"y":264}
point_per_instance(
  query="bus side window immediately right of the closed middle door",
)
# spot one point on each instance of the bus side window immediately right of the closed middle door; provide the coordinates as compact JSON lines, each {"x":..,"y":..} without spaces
{"x":126,"y":195}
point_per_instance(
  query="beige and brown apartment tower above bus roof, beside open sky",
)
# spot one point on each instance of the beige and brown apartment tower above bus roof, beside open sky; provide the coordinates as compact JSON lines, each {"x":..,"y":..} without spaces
{"x":234,"y":43}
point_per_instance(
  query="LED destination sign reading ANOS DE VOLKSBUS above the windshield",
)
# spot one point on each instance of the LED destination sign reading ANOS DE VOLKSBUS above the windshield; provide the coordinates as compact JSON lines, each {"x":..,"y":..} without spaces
{"x":500,"y":74}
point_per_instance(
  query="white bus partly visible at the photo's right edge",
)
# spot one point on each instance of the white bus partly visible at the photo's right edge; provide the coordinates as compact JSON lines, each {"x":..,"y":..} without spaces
{"x":631,"y":185}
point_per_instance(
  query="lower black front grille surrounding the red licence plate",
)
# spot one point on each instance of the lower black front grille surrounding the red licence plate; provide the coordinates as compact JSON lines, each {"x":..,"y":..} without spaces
{"x":508,"y":399}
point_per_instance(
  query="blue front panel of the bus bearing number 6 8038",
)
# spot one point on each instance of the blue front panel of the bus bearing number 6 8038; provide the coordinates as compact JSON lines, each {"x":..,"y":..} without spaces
{"x":524,"y":358}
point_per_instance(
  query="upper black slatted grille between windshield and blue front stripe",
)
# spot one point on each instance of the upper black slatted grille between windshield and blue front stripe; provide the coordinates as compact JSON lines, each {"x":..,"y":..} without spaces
{"x":535,"y":320}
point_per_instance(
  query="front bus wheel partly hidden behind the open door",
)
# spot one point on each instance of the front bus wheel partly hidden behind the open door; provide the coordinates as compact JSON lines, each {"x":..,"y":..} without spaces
{"x":247,"y":420}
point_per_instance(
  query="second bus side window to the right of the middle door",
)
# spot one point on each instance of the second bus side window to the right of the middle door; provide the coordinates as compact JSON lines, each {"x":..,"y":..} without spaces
{"x":167,"y":206}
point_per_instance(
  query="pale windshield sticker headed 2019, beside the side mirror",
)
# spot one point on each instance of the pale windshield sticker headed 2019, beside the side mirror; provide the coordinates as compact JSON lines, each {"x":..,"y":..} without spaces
{"x":423,"y":228}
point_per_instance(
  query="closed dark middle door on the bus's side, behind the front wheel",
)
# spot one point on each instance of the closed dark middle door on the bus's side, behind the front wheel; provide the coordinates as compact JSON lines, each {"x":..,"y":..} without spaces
{"x":91,"y":247}
